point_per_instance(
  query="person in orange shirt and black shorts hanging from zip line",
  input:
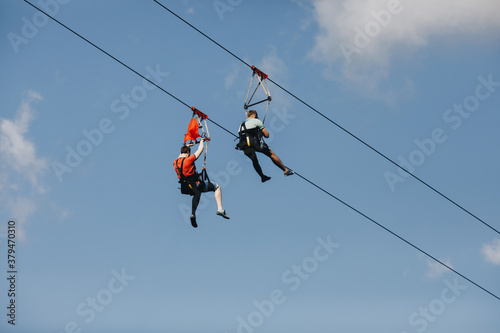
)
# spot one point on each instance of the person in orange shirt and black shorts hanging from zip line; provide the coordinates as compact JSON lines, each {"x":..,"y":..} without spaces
{"x":192,"y":184}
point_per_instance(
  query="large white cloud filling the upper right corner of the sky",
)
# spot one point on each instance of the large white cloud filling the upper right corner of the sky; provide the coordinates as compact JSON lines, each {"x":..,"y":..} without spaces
{"x":365,"y":36}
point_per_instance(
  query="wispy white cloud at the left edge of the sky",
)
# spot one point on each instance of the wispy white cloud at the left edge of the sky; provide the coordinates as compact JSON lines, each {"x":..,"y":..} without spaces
{"x":16,"y":151}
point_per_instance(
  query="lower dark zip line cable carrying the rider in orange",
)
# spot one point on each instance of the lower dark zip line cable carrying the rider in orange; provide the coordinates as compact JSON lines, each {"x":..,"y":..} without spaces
{"x":299,"y":175}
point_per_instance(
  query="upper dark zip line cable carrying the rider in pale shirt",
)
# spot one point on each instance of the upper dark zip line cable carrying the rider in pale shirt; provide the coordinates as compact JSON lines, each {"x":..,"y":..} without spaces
{"x":336,"y":124}
